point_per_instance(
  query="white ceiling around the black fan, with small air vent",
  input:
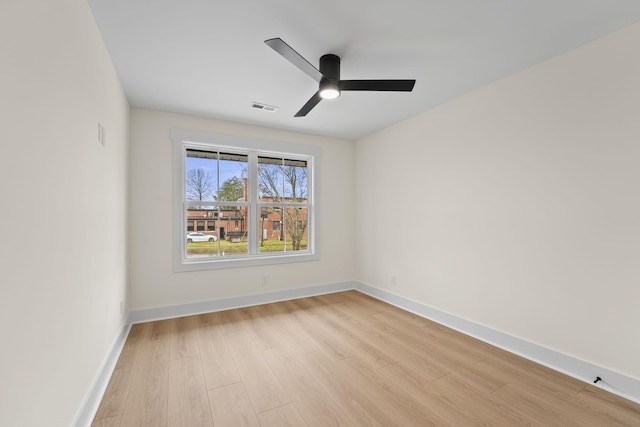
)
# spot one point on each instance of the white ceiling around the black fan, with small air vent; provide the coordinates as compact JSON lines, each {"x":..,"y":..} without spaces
{"x":208,"y":57}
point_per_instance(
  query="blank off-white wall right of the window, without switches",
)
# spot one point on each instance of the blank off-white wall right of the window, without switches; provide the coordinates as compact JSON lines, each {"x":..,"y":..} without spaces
{"x":516,"y":206}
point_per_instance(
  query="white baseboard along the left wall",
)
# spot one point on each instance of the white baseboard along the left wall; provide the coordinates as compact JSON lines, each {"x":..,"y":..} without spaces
{"x":89,"y":407}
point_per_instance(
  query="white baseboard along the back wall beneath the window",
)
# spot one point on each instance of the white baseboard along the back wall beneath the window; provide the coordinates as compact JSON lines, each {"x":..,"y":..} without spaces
{"x":169,"y":312}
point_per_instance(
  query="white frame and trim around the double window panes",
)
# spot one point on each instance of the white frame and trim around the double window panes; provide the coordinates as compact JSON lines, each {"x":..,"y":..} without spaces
{"x":182,"y":139}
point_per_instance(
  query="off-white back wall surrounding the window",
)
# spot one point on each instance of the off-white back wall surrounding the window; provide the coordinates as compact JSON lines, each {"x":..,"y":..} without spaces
{"x":153,"y":282}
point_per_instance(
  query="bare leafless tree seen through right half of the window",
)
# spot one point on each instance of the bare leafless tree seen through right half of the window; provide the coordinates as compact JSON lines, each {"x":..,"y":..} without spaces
{"x":286,"y":183}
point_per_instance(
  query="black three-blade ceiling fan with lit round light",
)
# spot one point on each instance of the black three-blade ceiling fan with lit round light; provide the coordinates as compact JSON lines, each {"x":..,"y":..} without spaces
{"x":328,"y":77}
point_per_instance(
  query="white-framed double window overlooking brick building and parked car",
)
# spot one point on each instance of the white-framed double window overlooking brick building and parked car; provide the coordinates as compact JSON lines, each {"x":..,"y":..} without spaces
{"x":246,"y":185}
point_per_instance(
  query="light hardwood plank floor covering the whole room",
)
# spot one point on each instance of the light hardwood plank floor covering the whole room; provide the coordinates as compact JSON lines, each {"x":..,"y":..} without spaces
{"x":339,"y":359}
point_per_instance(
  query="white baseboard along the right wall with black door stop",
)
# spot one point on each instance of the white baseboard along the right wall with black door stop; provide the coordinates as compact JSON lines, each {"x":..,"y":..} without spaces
{"x":613,"y":382}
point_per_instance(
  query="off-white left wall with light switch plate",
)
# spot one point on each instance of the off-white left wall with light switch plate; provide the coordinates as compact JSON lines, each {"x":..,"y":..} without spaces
{"x":64,"y":206}
